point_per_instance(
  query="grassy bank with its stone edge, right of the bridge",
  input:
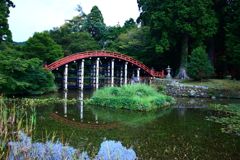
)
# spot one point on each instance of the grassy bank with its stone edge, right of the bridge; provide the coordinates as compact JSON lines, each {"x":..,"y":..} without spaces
{"x":218,"y":88}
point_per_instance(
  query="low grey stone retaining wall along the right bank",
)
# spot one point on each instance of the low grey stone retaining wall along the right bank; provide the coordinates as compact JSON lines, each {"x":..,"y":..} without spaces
{"x":174,"y":88}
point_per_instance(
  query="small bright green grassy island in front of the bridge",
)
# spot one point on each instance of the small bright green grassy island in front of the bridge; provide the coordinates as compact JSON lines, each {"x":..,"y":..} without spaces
{"x":139,"y":97}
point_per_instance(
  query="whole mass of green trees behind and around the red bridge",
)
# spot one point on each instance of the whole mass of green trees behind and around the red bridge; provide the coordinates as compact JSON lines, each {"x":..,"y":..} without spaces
{"x":184,"y":34}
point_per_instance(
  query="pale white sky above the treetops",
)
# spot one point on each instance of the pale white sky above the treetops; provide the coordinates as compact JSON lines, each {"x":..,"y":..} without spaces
{"x":31,"y":16}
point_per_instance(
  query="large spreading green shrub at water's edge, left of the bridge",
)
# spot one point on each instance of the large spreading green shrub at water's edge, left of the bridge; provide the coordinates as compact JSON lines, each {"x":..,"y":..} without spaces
{"x":23,"y":76}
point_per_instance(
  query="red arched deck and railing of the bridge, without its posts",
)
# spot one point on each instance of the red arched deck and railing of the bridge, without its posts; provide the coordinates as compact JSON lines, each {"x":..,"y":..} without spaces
{"x":88,"y":54}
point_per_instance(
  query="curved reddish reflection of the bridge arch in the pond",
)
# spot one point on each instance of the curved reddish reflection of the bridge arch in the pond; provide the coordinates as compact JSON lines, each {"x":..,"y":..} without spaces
{"x":82,"y":125}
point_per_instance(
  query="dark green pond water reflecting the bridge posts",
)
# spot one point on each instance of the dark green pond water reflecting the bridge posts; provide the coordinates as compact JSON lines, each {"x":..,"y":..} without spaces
{"x":177,"y":132}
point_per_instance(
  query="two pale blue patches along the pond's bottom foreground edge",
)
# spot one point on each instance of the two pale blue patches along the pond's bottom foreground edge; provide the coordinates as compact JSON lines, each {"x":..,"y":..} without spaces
{"x":55,"y":150}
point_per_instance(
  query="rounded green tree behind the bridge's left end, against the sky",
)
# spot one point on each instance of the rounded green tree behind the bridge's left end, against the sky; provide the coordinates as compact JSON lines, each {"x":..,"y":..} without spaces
{"x":43,"y":47}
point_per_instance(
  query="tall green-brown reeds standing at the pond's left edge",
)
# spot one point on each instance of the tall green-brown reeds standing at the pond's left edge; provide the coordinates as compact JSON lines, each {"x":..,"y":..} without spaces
{"x":12,"y":119}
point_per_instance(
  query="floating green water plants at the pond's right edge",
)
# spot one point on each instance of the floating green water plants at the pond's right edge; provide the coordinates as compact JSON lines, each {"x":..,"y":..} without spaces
{"x":230,"y":121}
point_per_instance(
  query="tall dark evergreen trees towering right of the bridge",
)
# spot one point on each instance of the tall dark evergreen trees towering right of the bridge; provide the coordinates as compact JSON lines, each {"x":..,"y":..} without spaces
{"x":180,"y":26}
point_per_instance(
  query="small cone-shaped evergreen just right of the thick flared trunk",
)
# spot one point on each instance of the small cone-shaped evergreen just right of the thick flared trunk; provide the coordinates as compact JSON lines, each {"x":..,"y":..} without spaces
{"x":199,"y":66}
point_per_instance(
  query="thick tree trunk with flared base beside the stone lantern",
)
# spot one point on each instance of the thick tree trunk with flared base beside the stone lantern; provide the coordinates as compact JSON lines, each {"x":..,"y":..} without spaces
{"x":182,"y":74}
